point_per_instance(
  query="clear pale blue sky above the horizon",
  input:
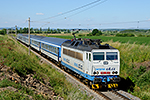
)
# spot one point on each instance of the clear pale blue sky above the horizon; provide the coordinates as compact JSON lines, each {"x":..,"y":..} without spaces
{"x":104,"y":14}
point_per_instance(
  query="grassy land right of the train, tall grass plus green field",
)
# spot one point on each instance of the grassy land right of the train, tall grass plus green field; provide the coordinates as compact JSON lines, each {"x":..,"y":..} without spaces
{"x":135,"y":61}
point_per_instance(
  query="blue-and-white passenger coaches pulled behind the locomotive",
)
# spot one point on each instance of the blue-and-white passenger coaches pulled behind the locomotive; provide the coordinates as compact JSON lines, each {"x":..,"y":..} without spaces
{"x":46,"y":45}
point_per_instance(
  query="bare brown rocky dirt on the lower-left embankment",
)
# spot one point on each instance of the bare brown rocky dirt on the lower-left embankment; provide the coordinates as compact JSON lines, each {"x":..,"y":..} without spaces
{"x":44,"y":88}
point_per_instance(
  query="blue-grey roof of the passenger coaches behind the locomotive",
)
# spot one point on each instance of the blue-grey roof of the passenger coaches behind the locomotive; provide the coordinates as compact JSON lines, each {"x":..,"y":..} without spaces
{"x":56,"y":41}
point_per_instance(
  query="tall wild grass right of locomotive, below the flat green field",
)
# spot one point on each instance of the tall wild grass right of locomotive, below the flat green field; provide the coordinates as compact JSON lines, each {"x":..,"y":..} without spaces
{"x":131,"y":54}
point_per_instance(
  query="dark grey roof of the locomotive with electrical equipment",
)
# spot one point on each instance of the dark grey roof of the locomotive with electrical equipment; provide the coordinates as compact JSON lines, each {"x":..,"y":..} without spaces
{"x":86,"y":46}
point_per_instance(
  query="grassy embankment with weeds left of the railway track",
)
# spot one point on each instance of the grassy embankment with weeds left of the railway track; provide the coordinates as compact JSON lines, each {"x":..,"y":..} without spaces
{"x":16,"y":56}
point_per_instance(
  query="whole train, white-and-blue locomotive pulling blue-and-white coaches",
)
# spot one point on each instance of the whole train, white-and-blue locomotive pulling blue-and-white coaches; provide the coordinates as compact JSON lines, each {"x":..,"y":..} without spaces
{"x":96,"y":64}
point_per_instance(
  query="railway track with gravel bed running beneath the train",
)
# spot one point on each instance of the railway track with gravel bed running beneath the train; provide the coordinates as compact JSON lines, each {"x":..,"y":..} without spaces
{"x":98,"y":95}
